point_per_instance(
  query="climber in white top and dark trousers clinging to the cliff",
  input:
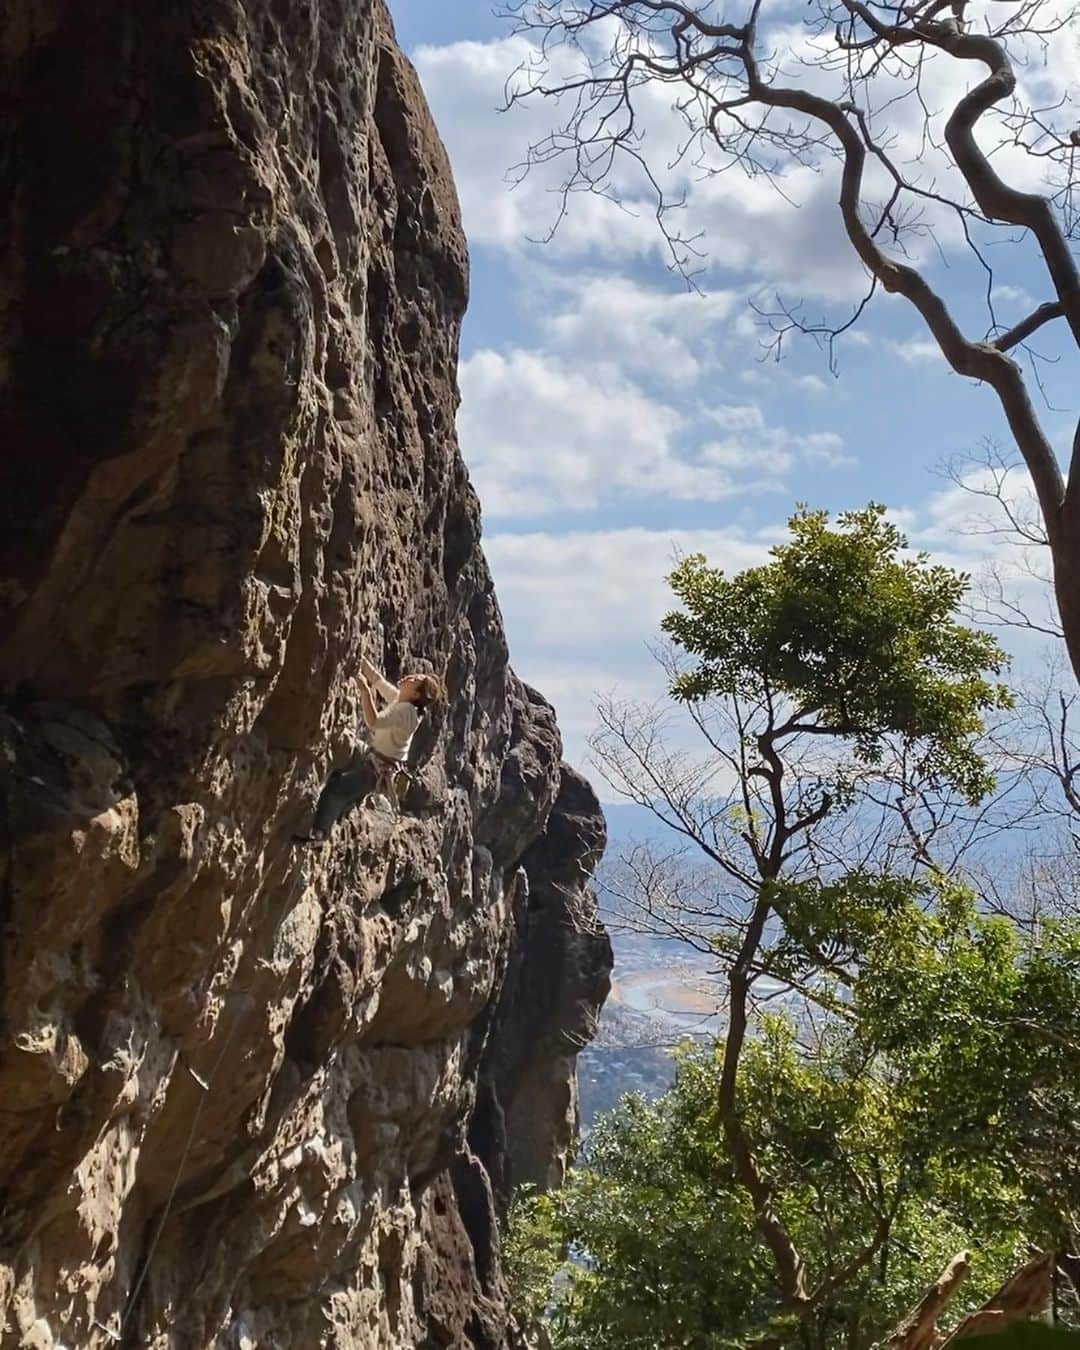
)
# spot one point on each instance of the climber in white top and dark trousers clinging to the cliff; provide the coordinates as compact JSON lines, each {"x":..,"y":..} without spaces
{"x":391,"y":732}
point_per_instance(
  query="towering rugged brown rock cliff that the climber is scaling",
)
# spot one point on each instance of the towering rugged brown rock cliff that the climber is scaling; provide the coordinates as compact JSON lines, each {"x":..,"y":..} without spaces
{"x":254,"y":1096}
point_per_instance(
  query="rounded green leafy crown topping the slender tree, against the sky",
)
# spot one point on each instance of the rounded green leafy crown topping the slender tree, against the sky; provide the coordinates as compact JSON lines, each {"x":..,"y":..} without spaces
{"x":862,"y":641}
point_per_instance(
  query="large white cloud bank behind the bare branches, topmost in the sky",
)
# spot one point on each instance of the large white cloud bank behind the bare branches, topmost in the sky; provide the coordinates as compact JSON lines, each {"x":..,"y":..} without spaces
{"x":778,"y":227}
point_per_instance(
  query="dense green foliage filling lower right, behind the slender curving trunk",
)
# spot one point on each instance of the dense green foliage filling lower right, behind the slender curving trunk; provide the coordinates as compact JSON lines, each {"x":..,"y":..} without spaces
{"x":940,"y":1102}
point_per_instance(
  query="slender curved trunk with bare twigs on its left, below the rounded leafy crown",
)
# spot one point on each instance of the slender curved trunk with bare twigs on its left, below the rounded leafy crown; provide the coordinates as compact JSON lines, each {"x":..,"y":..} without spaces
{"x":749,"y":827}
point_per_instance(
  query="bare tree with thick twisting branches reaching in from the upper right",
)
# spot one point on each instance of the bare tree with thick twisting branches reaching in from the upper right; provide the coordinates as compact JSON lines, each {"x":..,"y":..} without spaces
{"x":753,"y":98}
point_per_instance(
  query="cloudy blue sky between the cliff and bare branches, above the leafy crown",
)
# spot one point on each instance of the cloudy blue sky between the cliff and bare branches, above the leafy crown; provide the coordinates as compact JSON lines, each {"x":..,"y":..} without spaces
{"x":611,"y":418}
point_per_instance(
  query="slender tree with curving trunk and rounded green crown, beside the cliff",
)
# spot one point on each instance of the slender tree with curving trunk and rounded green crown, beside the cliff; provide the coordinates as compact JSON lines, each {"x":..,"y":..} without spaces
{"x":843,"y":643}
